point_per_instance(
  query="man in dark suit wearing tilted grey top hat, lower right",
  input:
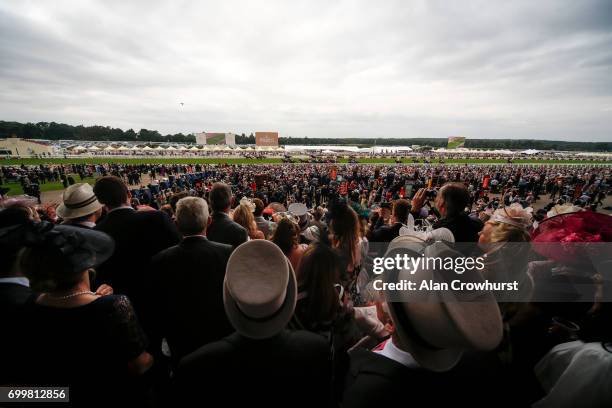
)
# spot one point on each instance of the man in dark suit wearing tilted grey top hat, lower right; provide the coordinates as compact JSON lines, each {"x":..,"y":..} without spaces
{"x":453,"y":364}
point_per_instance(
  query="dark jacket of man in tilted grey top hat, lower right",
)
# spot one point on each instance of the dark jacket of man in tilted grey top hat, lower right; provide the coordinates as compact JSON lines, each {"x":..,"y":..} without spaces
{"x":374,"y":380}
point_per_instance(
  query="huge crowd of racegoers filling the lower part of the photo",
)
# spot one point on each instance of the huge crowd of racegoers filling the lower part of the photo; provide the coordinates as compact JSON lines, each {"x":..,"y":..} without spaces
{"x":251,"y":284}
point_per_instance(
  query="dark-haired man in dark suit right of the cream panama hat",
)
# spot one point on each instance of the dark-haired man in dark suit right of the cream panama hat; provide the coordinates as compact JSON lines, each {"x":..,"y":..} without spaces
{"x":138,"y":235}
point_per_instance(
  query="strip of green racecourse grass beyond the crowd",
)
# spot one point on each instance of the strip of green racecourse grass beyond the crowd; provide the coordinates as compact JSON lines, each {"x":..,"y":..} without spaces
{"x":220,"y":160}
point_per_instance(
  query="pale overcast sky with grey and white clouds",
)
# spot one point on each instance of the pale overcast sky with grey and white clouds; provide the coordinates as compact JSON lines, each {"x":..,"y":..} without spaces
{"x":482,"y":69}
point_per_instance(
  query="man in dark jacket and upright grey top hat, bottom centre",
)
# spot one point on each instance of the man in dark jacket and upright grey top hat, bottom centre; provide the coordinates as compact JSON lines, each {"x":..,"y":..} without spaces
{"x":262,"y":363}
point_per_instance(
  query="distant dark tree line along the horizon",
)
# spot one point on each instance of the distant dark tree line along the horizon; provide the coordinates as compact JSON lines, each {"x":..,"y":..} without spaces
{"x":61,"y":131}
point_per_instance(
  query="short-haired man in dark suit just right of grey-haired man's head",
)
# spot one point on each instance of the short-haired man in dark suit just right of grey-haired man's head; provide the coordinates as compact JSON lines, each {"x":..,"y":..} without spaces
{"x":222,"y":228}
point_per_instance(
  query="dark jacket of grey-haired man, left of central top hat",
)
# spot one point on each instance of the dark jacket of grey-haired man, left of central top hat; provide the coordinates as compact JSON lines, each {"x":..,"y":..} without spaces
{"x":188,"y":287}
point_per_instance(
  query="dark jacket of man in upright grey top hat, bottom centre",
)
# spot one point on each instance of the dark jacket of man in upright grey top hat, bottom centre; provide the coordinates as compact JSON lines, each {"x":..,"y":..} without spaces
{"x":288,"y":370}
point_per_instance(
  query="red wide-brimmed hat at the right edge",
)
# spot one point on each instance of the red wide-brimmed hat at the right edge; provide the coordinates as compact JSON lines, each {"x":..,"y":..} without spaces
{"x":565,"y":237}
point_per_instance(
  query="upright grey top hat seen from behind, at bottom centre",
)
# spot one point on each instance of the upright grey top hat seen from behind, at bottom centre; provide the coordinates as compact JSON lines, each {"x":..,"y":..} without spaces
{"x":260,"y":290}
